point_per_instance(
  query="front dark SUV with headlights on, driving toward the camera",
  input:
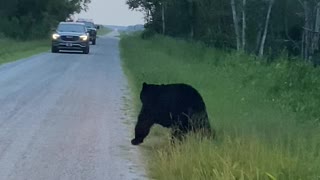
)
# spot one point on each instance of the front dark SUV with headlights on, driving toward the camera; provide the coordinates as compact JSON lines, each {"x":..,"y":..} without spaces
{"x":71,"y":36}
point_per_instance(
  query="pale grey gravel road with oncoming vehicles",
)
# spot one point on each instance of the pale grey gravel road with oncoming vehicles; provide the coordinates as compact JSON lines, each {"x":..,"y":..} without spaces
{"x":62,"y":117}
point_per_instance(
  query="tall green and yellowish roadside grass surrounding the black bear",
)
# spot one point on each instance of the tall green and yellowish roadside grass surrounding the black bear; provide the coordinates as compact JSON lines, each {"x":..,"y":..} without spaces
{"x":259,"y":134}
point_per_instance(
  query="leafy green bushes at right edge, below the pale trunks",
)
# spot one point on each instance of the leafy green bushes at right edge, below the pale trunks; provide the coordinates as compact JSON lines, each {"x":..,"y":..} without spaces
{"x":292,"y":84}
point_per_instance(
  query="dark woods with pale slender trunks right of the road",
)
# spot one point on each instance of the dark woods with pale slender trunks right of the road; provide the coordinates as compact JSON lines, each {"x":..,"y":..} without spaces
{"x":258,"y":27}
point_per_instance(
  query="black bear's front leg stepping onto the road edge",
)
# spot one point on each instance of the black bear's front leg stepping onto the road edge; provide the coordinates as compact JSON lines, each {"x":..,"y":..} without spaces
{"x":142,"y":129}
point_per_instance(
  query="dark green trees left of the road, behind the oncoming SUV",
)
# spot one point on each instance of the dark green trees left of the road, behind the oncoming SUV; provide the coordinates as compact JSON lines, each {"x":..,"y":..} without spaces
{"x":29,"y":19}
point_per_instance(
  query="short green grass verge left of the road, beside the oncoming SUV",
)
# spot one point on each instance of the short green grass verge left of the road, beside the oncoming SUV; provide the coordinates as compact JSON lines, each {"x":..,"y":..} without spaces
{"x":11,"y":50}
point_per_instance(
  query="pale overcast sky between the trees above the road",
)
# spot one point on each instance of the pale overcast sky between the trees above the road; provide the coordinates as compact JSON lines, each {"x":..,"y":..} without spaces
{"x":112,"y":12}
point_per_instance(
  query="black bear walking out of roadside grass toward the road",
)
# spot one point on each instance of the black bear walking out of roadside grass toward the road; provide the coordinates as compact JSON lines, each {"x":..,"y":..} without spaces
{"x":176,"y":106}
